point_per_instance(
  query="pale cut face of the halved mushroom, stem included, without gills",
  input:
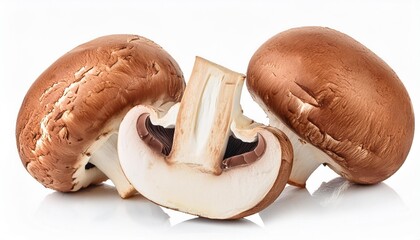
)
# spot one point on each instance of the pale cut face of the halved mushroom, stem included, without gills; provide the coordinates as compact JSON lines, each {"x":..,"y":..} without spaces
{"x":190,"y":179}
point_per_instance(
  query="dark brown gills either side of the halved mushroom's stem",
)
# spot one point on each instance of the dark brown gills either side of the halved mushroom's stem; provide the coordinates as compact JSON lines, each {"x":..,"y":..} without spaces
{"x":160,"y":139}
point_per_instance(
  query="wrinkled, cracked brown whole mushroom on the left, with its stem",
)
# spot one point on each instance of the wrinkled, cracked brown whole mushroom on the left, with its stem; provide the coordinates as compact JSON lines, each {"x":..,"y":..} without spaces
{"x":66,"y":130}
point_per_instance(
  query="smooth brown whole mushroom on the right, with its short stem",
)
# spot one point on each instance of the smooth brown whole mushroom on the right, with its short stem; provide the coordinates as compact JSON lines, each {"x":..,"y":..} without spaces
{"x":338,"y":102}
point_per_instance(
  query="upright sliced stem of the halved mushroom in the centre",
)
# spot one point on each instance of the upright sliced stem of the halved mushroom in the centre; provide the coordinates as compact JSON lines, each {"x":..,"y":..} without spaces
{"x":204,"y":121}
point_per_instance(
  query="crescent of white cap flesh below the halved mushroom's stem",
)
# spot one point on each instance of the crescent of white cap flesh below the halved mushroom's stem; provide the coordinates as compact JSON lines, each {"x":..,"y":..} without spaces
{"x":180,"y":186}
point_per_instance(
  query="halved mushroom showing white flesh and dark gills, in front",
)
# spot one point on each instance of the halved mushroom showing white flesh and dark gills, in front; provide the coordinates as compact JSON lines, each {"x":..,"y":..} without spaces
{"x":203,"y":156}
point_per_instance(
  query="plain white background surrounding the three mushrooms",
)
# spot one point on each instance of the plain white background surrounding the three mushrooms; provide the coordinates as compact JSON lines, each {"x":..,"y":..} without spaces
{"x":35,"y":33}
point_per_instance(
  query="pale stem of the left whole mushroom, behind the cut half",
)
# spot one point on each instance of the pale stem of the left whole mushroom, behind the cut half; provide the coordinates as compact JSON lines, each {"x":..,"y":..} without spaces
{"x":106,"y":160}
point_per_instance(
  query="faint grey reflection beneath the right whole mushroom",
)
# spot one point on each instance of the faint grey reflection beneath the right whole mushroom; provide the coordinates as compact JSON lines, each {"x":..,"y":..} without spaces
{"x":338,"y":198}
